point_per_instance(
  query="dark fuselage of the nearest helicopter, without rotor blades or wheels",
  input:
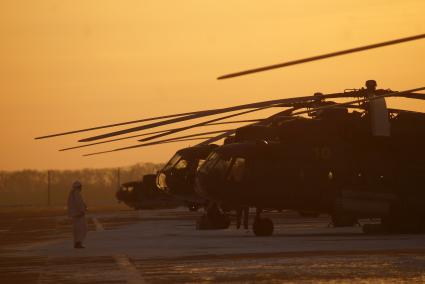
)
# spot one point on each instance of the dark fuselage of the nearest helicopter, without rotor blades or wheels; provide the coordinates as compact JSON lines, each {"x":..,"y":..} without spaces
{"x":328,"y":164}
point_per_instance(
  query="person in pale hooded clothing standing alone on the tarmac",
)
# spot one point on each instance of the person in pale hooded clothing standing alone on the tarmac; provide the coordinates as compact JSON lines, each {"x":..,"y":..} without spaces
{"x":77,"y":211}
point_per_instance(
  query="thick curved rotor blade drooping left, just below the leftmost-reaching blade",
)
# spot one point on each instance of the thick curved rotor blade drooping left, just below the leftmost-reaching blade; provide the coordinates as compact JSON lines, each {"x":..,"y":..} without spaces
{"x":210,"y":112}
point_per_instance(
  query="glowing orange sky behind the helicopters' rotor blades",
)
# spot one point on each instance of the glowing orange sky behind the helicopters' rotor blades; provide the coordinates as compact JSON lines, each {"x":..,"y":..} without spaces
{"x":74,"y":64}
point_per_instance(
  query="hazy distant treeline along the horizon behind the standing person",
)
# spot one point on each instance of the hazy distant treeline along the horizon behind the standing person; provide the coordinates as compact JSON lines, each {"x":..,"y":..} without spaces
{"x":30,"y":187}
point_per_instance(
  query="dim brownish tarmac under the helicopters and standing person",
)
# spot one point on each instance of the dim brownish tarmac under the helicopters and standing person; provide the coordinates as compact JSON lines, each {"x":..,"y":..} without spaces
{"x":163,"y":246}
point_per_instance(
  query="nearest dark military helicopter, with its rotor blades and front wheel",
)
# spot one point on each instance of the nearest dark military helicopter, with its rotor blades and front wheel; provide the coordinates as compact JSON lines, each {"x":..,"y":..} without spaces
{"x":232,"y":171}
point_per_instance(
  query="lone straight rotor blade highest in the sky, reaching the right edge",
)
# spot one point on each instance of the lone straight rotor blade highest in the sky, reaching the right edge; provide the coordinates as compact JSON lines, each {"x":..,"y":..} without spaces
{"x":320,"y":57}
